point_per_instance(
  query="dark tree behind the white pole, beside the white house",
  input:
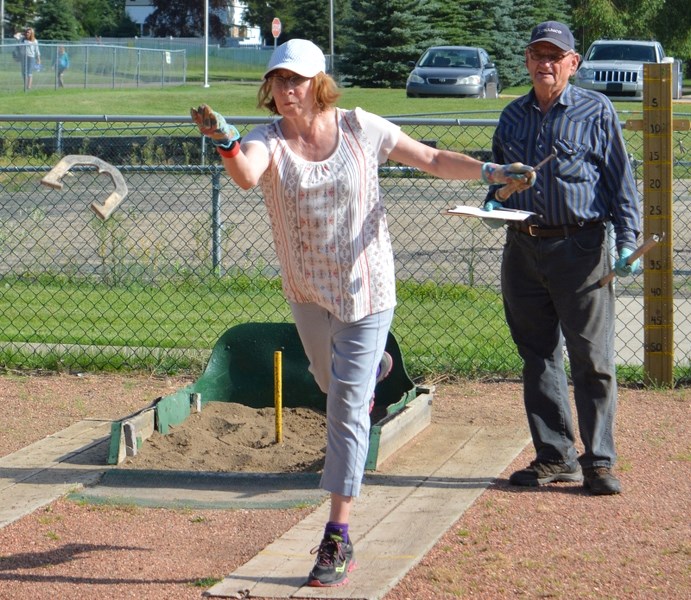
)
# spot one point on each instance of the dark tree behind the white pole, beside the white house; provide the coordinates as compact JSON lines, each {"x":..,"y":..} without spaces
{"x":185,"y":18}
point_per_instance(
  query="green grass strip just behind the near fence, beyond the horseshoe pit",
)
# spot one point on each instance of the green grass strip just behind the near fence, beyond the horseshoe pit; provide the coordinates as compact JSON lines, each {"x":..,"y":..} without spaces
{"x":42,"y":312}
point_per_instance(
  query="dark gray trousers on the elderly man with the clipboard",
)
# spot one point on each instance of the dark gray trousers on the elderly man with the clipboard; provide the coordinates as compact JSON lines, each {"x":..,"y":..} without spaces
{"x":552,"y":296}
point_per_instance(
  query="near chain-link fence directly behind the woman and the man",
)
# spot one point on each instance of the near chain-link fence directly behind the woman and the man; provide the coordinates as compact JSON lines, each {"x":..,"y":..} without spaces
{"x":188,"y":254}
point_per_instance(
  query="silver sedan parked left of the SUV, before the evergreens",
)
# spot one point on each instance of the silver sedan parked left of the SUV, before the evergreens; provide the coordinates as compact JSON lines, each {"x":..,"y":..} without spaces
{"x":453,"y":71}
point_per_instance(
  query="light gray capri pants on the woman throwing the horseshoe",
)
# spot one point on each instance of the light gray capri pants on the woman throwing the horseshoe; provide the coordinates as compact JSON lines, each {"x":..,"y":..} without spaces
{"x":343,"y":358}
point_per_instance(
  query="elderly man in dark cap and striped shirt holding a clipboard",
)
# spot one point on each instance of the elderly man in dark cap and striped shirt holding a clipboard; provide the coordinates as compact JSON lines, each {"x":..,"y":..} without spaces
{"x":553,"y":261}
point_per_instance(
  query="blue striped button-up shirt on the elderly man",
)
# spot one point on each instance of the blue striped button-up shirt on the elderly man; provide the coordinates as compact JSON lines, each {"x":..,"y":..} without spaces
{"x":591,"y":177}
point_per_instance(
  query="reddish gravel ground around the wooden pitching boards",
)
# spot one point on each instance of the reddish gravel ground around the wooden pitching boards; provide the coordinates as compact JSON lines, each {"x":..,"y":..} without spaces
{"x":554,"y":542}
